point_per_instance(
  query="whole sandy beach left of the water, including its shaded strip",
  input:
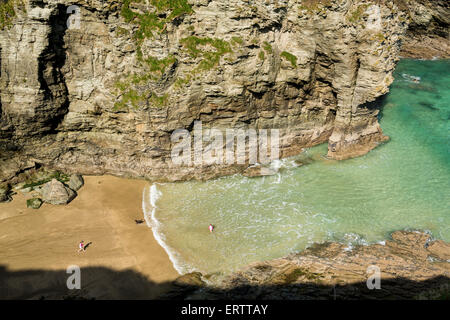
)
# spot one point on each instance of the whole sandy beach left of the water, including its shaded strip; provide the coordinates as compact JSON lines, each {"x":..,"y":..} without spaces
{"x":123,"y":260}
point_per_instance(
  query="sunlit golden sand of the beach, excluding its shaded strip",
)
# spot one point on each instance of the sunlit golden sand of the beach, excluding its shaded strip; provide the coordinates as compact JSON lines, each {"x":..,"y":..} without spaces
{"x":103,"y":213}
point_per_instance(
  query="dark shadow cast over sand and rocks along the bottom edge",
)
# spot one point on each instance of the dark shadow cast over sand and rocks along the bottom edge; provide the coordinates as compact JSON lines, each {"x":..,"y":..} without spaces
{"x":104,"y":283}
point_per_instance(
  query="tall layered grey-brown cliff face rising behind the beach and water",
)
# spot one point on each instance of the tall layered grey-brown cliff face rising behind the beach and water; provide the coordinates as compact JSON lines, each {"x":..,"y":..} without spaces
{"x":104,"y":98}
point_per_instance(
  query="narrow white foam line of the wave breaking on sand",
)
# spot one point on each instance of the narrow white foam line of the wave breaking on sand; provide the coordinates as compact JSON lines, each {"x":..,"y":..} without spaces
{"x":153,"y":223}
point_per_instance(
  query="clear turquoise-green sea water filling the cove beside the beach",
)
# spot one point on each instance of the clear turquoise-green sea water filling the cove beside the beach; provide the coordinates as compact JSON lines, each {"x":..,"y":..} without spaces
{"x":403,"y":184}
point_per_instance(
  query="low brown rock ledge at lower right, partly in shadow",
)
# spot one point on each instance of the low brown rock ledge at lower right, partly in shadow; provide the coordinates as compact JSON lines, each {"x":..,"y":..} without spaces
{"x":410,"y":266}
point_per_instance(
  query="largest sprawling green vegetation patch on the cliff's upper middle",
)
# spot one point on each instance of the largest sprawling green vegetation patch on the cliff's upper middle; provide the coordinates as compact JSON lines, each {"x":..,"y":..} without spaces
{"x":151,"y":18}
